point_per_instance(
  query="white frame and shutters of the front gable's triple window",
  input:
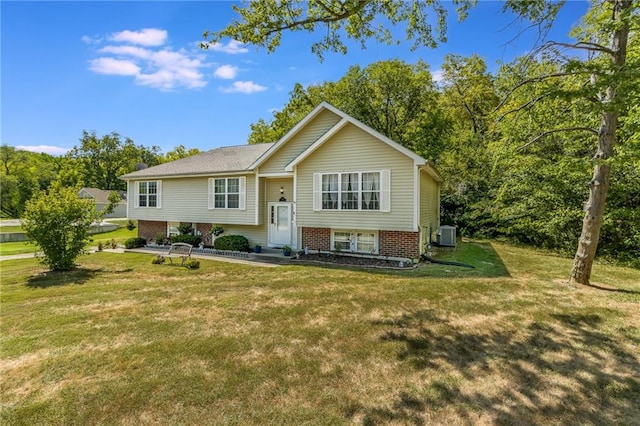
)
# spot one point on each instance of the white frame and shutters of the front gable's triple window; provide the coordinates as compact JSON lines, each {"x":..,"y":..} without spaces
{"x":385,"y":191}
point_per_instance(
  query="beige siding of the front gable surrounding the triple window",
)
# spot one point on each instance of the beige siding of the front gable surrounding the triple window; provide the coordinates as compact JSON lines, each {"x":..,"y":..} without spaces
{"x":353,"y":150}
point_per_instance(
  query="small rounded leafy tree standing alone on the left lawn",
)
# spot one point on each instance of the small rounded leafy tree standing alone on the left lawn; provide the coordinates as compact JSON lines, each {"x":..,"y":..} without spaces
{"x":58,"y":222}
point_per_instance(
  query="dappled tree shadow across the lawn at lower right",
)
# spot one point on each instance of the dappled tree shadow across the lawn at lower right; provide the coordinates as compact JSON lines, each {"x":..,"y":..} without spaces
{"x":561,"y":371}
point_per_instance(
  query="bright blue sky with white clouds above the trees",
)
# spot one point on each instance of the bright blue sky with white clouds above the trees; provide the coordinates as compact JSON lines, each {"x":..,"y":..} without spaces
{"x":135,"y":68}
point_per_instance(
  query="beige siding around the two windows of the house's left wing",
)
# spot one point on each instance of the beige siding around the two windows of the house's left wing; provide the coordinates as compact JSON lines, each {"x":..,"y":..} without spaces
{"x":186,"y":200}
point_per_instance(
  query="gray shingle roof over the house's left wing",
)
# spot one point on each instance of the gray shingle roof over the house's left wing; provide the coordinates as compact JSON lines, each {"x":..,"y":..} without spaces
{"x":218,"y":160}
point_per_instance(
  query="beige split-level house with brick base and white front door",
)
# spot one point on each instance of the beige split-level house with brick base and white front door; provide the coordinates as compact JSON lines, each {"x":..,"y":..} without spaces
{"x":331,"y":183}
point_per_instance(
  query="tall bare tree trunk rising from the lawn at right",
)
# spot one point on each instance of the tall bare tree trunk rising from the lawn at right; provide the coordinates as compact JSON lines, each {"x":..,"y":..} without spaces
{"x":594,"y":209}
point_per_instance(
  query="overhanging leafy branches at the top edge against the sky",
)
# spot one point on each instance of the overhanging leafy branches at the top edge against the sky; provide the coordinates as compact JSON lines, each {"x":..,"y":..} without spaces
{"x":262,"y":22}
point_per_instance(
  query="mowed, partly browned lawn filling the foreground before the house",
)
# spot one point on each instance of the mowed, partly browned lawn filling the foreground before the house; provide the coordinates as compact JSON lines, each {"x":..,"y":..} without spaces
{"x":122,"y":341}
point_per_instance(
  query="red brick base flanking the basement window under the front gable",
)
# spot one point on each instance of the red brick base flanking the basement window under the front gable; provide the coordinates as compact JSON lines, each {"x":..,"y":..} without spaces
{"x":390,"y":243}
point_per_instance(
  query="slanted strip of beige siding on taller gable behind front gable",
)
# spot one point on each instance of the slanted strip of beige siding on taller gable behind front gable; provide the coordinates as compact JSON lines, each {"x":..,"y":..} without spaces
{"x":301,"y":141}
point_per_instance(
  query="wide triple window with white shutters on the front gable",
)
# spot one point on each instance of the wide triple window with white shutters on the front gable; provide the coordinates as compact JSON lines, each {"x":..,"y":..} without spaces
{"x":352,"y":191}
